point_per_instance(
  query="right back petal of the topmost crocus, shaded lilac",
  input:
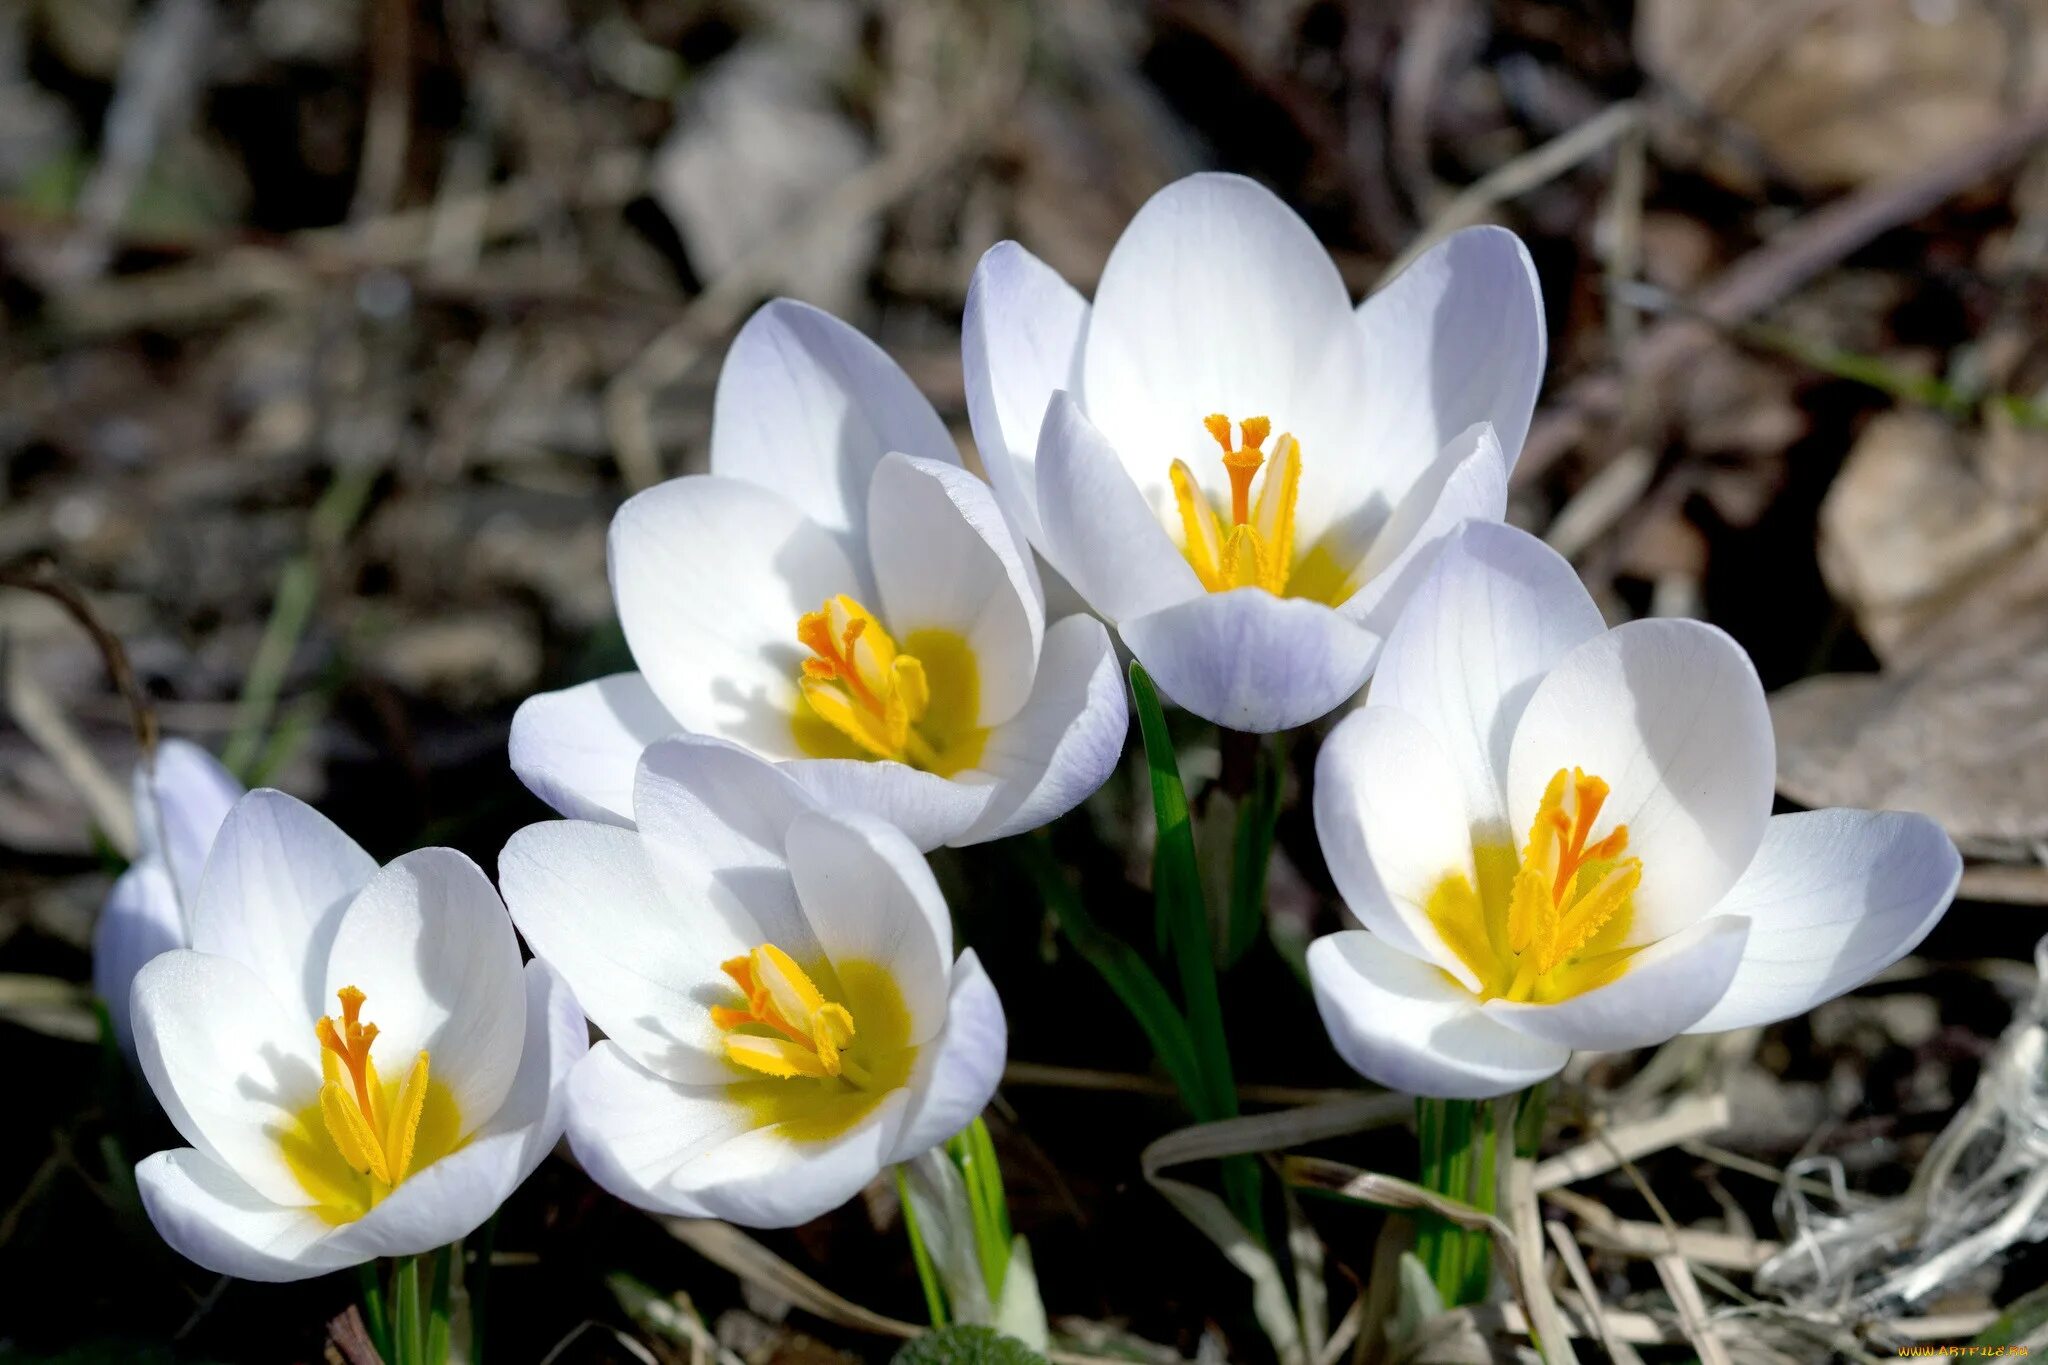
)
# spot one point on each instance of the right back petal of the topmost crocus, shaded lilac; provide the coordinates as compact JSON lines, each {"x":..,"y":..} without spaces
{"x":1453,"y":341}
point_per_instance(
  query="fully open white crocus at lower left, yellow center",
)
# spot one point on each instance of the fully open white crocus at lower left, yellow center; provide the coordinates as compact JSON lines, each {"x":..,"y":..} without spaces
{"x":355,"y":1055}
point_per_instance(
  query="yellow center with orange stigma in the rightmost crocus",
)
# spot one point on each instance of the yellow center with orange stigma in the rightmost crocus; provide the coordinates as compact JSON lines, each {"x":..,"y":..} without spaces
{"x":1551,"y":924}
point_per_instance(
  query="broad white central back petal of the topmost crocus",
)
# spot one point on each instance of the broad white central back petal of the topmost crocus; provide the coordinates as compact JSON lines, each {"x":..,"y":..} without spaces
{"x":1220,"y":300}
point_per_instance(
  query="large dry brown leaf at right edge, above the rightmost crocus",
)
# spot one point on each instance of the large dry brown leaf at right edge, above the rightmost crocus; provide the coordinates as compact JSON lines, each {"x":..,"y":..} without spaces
{"x":1938,"y":541}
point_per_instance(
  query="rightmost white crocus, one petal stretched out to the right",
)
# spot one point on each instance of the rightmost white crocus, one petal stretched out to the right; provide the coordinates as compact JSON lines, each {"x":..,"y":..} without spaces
{"x":1560,"y":838}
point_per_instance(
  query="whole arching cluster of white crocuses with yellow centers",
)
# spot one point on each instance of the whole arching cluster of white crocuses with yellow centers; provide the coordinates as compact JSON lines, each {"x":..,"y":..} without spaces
{"x":1558,"y":836}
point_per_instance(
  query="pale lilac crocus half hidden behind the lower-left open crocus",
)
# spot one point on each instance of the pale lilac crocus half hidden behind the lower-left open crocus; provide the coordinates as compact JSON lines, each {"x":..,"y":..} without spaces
{"x":181,"y":797}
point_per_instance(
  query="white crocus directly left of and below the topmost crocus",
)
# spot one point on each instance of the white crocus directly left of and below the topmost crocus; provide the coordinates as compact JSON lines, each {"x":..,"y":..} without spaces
{"x":839,"y":597}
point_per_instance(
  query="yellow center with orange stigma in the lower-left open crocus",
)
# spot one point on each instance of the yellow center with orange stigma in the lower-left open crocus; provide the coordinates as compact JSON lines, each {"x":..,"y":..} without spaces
{"x":364,"y":1137}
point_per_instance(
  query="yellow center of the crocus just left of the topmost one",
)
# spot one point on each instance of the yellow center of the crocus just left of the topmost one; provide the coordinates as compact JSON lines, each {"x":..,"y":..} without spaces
{"x":916,"y":703}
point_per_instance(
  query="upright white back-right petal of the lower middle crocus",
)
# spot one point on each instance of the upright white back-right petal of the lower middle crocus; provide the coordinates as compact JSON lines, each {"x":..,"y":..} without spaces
{"x":871,"y":899}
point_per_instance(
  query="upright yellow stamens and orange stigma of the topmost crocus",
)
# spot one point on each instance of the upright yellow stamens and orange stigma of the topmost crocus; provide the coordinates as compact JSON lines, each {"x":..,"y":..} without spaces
{"x":1256,"y":545}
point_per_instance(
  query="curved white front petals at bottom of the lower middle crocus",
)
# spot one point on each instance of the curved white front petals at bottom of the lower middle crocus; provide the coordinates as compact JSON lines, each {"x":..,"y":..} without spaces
{"x":699,"y":1153}
